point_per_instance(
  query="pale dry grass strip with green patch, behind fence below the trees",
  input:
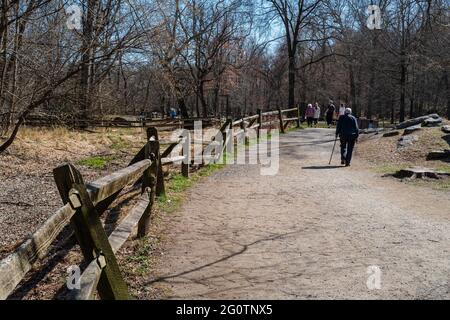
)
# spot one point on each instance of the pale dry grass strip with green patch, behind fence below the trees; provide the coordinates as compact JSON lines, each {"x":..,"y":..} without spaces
{"x":38,"y":150}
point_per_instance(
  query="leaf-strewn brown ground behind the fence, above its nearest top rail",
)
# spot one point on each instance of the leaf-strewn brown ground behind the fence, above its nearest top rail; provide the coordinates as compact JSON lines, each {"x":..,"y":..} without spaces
{"x":28,"y":194}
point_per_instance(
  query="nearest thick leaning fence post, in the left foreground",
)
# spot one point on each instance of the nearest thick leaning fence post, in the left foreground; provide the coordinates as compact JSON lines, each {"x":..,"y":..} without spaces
{"x":89,"y":231}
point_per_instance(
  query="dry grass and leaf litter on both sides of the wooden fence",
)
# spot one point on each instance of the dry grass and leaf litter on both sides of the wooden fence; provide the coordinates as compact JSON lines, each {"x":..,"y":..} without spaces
{"x":27,"y":184}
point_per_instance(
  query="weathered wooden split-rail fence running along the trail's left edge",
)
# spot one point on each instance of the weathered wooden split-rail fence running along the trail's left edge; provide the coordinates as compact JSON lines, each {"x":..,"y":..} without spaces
{"x":85,"y":203}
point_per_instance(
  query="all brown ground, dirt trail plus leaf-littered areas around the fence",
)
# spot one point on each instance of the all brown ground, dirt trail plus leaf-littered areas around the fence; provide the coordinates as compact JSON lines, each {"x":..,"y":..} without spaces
{"x":283,"y":243}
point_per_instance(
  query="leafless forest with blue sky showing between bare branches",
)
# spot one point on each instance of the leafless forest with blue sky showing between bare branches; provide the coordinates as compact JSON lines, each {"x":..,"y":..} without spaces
{"x":88,"y":59}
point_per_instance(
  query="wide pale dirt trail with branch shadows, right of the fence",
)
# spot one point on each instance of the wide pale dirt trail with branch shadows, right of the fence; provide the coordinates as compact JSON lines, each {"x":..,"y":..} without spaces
{"x":310,"y":232}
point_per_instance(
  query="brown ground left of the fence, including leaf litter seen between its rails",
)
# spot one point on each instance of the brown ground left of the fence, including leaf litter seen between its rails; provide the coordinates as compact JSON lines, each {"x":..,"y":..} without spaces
{"x":28,"y":194}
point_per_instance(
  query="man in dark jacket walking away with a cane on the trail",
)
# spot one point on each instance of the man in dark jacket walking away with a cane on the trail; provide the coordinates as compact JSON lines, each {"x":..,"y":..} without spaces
{"x":348,"y":131}
